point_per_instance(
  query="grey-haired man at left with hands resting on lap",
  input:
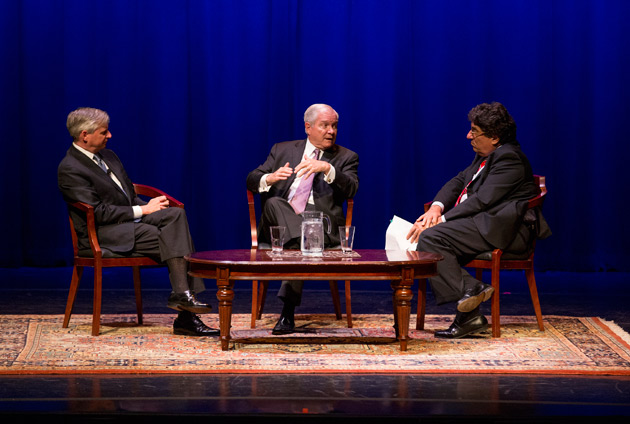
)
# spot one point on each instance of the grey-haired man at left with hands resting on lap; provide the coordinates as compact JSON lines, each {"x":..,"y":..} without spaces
{"x":126,"y":224}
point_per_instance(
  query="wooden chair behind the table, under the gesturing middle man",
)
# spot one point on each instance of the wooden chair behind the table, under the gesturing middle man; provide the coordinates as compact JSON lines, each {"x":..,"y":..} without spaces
{"x":259,"y":293}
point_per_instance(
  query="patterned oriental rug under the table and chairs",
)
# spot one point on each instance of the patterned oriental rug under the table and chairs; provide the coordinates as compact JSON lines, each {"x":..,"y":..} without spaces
{"x":569,"y":345}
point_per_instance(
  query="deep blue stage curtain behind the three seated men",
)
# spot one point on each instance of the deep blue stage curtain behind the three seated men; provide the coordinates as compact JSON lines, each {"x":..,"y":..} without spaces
{"x":198,"y":91}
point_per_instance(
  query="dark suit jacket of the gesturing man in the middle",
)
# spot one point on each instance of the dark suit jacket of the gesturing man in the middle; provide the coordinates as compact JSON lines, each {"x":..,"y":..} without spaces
{"x":328,"y":198}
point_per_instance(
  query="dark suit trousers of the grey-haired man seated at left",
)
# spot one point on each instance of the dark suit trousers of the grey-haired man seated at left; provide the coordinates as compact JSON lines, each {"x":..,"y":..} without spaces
{"x":165,"y":237}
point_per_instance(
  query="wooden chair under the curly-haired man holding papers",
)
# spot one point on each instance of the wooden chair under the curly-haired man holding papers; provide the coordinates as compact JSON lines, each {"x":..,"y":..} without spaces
{"x":495,"y":261}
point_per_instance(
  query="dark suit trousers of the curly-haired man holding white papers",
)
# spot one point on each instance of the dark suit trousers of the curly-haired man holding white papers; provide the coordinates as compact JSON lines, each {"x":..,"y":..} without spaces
{"x":459,"y":241}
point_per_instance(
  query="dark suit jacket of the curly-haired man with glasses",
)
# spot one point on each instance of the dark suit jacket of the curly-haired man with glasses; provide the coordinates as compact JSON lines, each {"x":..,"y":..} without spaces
{"x":497,"y":199}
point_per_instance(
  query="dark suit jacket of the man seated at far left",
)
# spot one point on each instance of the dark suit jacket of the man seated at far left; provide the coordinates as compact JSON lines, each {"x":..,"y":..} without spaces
{"x":82,"y":180}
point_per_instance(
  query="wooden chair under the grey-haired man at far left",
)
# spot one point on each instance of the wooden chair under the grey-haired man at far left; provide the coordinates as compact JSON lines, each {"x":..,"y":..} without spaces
{"x":95,"y":258}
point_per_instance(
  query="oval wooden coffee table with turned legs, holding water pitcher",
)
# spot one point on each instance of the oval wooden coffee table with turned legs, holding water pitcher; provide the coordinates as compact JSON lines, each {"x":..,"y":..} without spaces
{"x":399,"y":267}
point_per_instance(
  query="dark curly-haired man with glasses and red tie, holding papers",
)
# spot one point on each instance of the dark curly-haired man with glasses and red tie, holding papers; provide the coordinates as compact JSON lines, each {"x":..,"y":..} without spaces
{"x":480,"y":209}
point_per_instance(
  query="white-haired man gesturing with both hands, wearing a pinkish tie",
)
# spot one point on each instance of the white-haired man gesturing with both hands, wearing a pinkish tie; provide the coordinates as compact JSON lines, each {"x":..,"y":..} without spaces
{"x":335,"y":179}
